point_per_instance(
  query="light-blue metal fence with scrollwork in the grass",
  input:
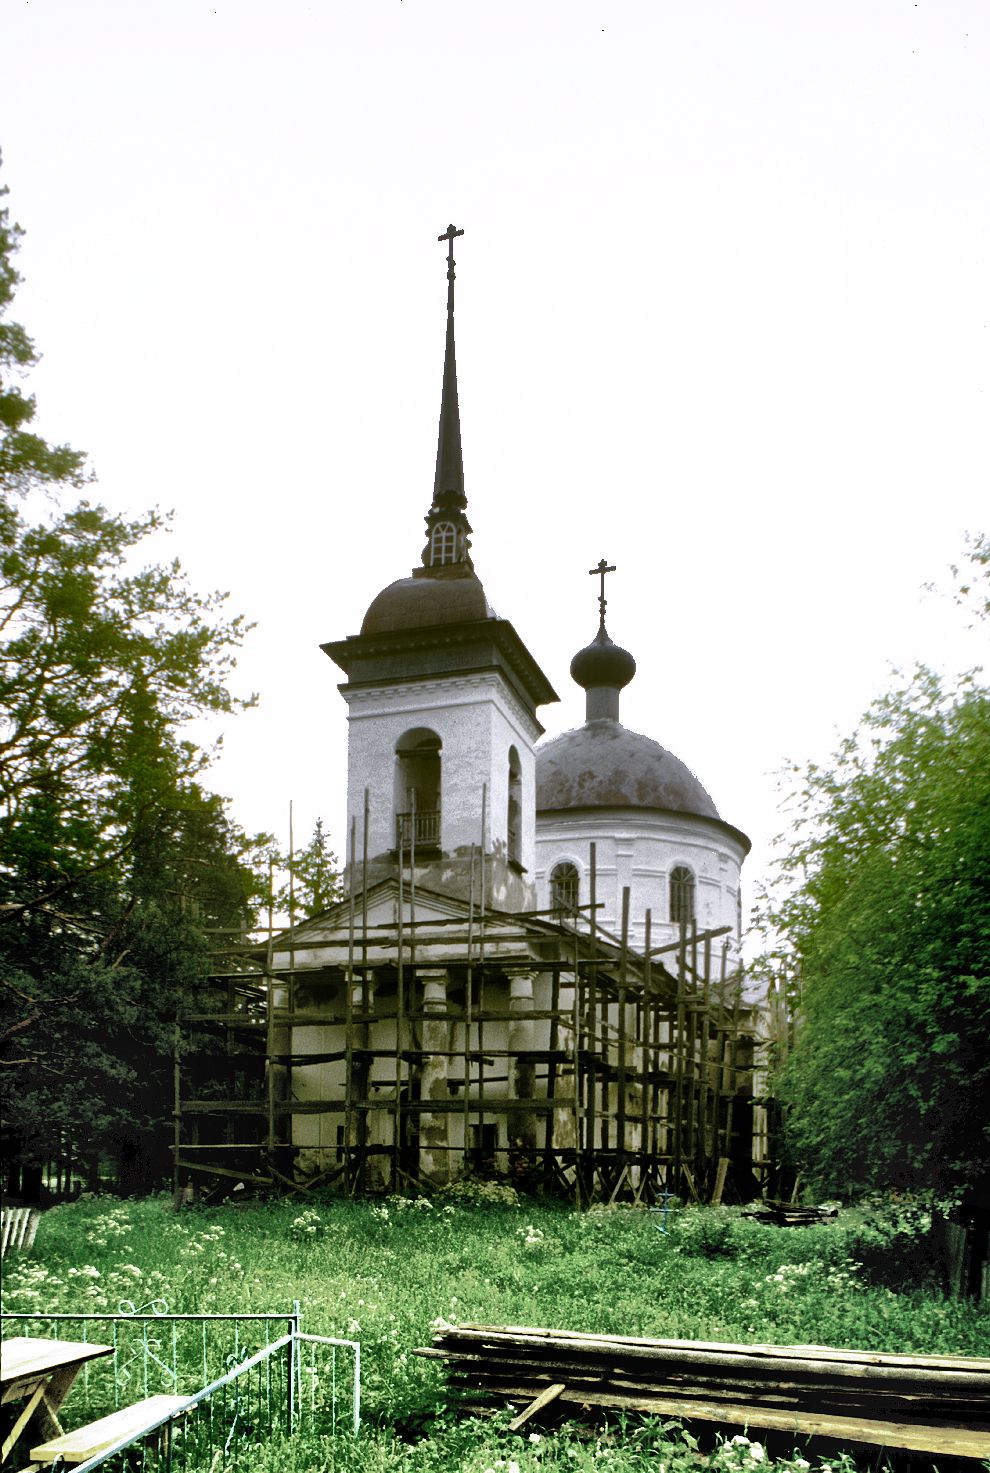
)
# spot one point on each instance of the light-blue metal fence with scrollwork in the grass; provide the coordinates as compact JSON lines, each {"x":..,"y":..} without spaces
{"x":242,"y":1384}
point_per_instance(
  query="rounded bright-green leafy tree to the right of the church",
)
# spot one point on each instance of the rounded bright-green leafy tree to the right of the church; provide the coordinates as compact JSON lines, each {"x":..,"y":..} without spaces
{"x":885,"y":914}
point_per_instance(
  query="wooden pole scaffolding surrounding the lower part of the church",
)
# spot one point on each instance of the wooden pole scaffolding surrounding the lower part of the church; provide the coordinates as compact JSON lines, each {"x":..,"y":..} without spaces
{"x":530,"y":1047}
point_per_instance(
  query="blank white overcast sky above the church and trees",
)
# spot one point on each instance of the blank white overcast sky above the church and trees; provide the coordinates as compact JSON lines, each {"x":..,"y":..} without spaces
{"x":723,"y":317}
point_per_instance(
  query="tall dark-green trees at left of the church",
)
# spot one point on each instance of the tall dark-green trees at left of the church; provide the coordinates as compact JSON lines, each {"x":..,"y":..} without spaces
{"x":114,"y":862}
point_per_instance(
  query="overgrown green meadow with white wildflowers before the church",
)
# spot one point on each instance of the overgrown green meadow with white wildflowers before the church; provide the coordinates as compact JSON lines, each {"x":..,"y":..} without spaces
{"x":385,"y":1273}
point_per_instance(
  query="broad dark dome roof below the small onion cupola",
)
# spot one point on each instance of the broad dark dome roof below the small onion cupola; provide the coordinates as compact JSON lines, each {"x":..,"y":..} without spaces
{"x":602,"y":765}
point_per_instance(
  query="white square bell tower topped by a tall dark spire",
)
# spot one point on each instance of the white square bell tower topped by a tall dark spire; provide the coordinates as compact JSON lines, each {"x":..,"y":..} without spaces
{"x":443,"y":700}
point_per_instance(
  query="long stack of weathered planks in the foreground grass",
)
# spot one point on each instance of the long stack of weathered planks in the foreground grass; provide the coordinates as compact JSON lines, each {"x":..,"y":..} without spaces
{"x":921,"y":1403}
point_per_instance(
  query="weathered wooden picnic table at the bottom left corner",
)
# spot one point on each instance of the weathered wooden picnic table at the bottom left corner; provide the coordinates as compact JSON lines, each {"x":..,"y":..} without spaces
{"x":41,"y":1375}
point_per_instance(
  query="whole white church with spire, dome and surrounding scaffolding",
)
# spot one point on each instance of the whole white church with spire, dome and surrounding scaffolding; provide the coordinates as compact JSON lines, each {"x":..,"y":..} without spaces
{"x":536,"y":970}
